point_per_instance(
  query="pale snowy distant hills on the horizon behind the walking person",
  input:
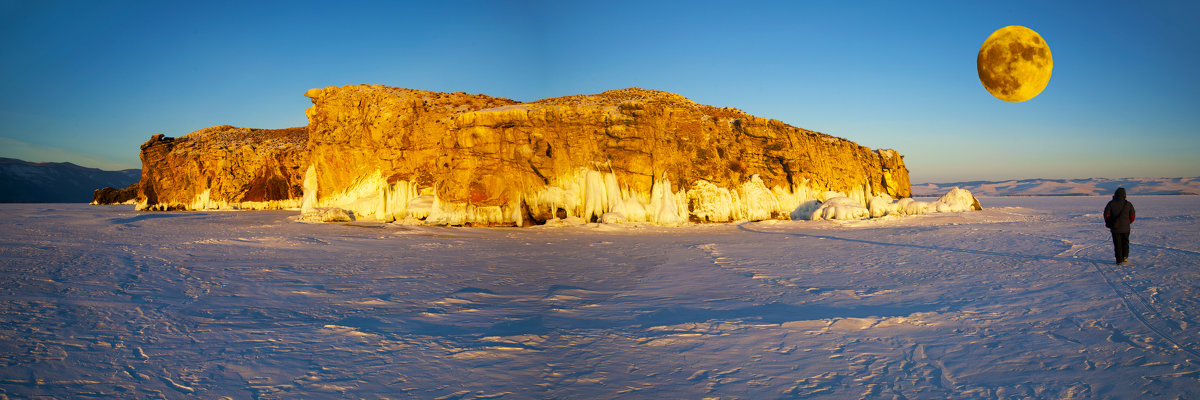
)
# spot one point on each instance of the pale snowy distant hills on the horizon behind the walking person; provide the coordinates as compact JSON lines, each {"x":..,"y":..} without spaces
{"x":1090,"y":187}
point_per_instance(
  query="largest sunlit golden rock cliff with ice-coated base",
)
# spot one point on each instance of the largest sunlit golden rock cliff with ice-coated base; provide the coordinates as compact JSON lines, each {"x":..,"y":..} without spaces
{"x":386,"y":153}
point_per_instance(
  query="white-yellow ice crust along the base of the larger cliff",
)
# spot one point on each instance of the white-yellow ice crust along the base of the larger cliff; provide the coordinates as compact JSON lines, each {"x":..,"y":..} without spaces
{"x":590,"y":195}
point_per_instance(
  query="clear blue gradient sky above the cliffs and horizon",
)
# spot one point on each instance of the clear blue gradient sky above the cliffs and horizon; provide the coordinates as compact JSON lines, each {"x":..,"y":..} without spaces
{"x":89,"y":82}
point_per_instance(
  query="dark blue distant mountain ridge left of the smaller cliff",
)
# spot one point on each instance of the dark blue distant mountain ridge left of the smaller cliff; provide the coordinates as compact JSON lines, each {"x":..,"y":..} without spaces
{"x":23,"y":182}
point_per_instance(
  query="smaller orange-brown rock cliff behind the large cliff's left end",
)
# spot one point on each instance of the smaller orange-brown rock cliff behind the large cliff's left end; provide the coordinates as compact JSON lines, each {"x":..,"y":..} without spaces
{"x":224,"y":168}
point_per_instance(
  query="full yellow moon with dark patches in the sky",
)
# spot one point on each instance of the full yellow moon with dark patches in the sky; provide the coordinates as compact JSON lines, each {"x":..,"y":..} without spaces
{"x":1015,"y":64}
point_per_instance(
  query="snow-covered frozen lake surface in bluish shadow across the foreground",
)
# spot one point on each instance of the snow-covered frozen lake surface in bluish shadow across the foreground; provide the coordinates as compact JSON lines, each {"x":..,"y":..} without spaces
{"x":1019,"y":301}
